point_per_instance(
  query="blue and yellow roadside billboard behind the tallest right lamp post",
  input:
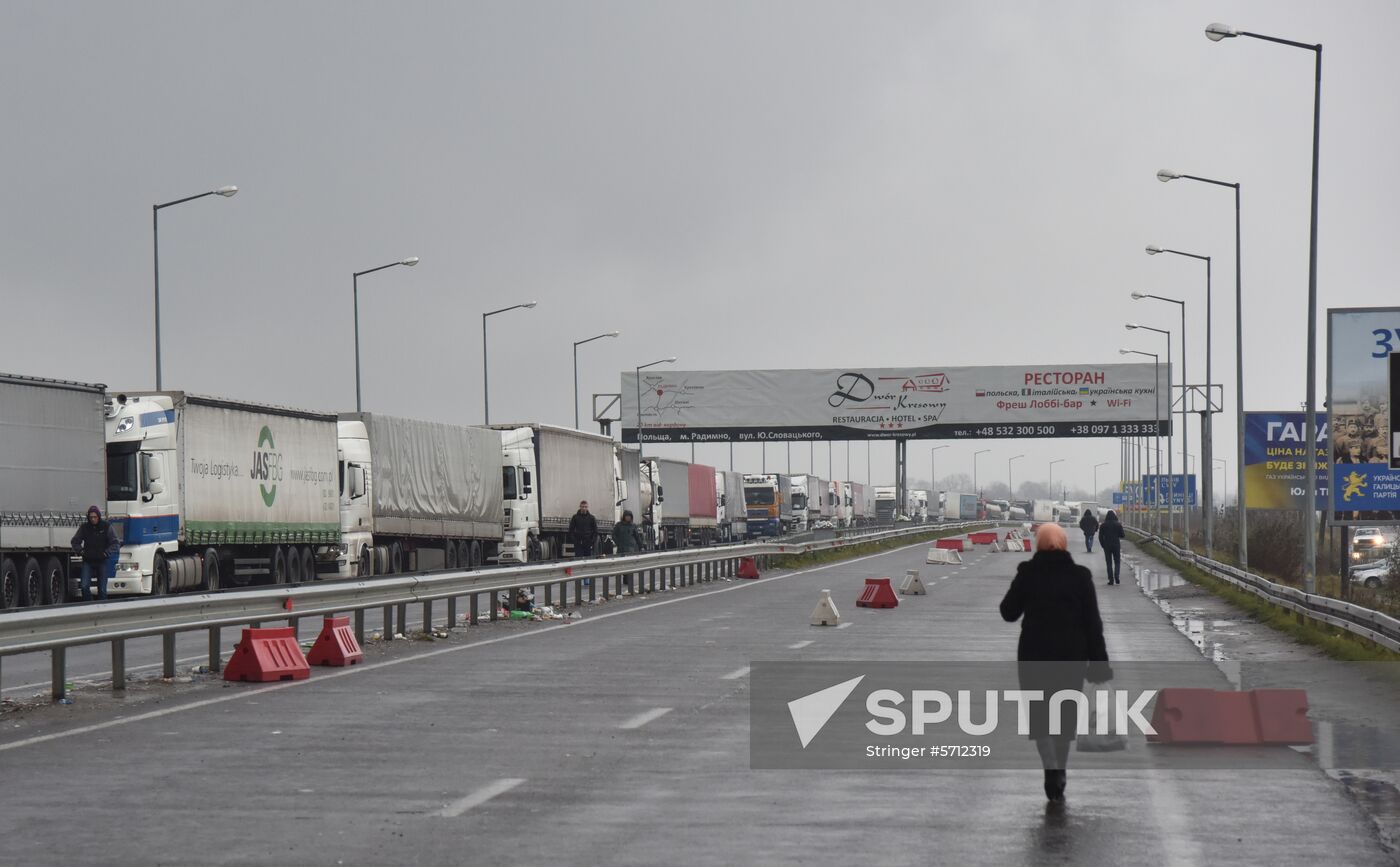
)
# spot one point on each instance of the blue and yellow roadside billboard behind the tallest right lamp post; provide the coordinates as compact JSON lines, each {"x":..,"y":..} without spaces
{"x":1276,"y":460}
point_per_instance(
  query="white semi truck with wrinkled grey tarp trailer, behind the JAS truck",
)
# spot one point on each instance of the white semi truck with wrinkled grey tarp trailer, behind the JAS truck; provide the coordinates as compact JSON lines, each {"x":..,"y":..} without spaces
{"x":414,"y":488}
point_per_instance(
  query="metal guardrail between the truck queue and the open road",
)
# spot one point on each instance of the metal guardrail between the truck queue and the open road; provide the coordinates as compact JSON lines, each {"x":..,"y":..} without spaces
{"x":59,"y":628}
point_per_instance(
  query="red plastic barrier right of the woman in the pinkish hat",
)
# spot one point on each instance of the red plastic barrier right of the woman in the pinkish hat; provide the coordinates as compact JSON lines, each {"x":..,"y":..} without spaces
{"x":1209,"y":716}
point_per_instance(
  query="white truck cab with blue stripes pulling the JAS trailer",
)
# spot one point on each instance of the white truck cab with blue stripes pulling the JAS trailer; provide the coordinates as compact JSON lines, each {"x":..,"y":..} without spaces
{"x":141,"y":504}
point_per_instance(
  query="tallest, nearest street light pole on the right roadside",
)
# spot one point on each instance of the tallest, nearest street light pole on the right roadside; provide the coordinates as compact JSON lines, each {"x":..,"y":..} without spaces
{"x":1216,"y":33}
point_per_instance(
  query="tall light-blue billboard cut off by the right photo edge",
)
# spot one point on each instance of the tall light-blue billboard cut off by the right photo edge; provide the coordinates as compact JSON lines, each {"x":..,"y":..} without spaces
{"x":1361,"y":348}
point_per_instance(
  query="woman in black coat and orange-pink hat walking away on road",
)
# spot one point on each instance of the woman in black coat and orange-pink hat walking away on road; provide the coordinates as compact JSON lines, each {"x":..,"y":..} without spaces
{"x":1062,"y":642}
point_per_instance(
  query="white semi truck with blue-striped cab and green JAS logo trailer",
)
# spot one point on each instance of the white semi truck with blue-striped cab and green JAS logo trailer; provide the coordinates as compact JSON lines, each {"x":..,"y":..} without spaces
{"x":209,"y":494}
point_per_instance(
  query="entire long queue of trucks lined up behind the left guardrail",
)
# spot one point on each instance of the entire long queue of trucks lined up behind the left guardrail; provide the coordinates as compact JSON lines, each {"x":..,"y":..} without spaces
{"x":208,"y":494}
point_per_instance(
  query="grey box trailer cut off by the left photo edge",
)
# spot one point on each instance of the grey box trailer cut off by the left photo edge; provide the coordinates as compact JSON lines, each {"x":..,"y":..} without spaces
{"x":52,"y":467}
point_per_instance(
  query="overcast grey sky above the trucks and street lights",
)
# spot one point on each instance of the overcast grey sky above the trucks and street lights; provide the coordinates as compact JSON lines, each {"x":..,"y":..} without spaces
{"x":737,"y":184}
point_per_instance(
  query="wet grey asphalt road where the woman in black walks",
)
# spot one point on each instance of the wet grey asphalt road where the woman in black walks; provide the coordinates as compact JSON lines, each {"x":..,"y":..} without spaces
{"x":622,"y":739}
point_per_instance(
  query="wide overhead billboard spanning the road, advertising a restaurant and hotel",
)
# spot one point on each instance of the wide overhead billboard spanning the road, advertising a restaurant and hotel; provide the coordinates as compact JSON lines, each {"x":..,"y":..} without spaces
{"x":897,"y":404}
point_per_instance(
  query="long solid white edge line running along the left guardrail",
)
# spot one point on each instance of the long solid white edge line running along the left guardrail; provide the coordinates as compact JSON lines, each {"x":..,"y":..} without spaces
{"x":358,"y":670}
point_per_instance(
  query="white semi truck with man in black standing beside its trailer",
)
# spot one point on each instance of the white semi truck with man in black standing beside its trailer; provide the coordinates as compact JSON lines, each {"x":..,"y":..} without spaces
{"x":547,"y":473}
